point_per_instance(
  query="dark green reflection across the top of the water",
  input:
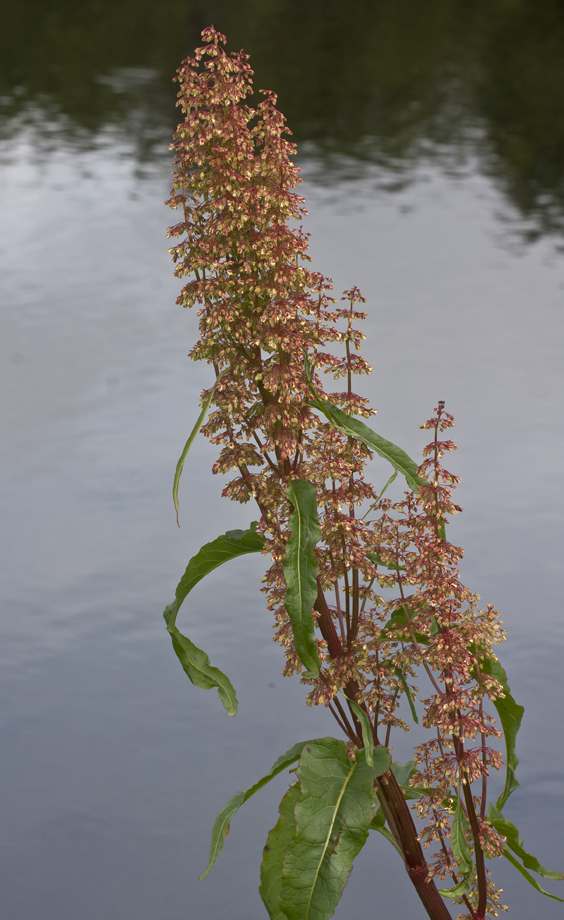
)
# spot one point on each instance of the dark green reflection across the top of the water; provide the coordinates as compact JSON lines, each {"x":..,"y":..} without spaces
{"x":383,"y":81}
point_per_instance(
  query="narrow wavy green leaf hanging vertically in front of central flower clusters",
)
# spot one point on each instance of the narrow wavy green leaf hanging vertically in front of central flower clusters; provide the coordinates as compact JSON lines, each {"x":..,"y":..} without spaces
{"x":300,"y":570}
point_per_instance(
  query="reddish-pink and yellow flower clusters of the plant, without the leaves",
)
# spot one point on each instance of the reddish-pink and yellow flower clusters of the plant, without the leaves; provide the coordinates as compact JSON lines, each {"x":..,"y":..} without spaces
{"x":260,"y":308}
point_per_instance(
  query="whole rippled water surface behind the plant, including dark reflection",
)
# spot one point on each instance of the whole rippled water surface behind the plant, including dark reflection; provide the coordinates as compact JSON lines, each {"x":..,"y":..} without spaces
{"x":431,"y":142}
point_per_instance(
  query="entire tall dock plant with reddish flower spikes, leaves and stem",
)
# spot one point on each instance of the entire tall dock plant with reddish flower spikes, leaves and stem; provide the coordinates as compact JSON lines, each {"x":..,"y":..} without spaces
{"x":365,"y":592}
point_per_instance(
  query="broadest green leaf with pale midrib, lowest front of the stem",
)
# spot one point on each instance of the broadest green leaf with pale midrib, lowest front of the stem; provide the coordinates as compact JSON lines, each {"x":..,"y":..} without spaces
{"x":333,"y":814}
